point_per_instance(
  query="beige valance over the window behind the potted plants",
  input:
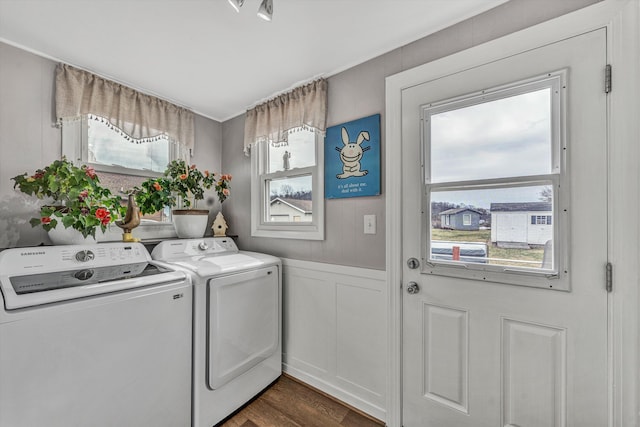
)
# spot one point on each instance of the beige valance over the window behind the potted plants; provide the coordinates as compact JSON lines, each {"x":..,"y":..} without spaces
{"x":140,"y":116}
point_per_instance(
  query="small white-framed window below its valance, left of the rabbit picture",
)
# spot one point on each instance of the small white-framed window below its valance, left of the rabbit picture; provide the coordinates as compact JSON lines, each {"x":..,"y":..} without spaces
{"x":287,"y":188}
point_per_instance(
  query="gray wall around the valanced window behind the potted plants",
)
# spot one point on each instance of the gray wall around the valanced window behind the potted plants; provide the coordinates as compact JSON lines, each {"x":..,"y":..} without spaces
{"x":28,"y":140}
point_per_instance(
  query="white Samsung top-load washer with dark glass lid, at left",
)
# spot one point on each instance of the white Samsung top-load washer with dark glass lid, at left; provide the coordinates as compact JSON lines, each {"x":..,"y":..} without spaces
{"x":93,"y":335}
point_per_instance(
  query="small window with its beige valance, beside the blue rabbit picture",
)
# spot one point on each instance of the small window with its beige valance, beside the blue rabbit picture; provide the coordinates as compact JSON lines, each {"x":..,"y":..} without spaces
{"x":284,"y":138}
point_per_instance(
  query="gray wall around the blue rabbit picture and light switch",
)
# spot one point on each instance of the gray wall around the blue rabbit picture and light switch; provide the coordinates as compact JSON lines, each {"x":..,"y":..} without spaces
{"x":359,"y":92}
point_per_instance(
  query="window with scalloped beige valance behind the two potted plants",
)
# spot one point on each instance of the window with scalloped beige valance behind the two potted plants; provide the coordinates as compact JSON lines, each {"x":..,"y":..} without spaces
{"x":124,"y":134}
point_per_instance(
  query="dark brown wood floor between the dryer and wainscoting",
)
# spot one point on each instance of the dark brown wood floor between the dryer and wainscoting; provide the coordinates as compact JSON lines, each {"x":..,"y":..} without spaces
{"x":289,"y":403}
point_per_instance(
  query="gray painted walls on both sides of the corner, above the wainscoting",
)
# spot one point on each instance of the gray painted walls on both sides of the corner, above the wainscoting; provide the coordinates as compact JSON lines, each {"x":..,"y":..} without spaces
{"x":28,"y":140}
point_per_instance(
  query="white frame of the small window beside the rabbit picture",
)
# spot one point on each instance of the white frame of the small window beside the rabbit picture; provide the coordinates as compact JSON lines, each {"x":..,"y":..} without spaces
{"x":260,"y":227}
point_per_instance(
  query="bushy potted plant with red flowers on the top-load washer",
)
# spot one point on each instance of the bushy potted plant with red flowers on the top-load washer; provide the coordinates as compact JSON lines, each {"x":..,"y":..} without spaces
{"x":74,"y":199}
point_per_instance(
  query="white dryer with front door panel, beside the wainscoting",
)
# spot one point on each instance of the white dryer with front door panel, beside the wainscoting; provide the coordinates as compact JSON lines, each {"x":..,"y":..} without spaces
{"x":237,"y":349}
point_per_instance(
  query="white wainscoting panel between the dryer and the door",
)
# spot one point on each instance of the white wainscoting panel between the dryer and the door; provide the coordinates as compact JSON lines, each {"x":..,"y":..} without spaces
{"x":335,"y":331}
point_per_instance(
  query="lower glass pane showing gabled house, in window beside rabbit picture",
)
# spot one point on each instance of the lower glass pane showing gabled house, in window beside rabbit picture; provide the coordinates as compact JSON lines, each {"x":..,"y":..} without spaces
{"x":290,"y":200}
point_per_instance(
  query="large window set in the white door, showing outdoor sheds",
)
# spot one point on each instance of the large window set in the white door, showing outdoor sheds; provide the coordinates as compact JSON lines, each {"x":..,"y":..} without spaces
{"x":497,"y":153}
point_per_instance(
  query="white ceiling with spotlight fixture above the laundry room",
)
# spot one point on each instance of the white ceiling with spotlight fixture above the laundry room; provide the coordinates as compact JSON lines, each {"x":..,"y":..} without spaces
{"x":203,"y":55}
